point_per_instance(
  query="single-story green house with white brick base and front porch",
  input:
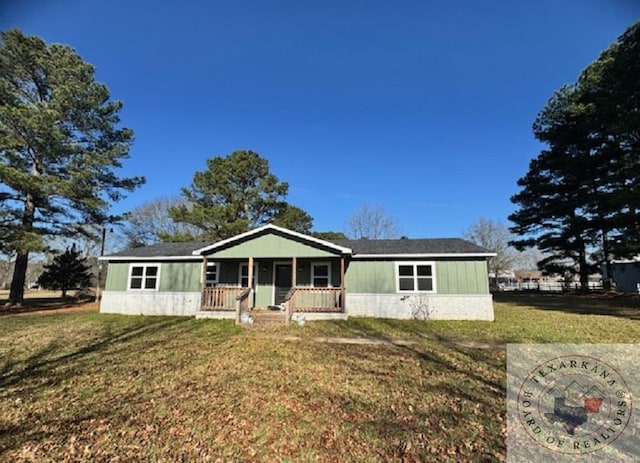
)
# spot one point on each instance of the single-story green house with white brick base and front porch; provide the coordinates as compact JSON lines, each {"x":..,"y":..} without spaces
{"x":273,"y":267}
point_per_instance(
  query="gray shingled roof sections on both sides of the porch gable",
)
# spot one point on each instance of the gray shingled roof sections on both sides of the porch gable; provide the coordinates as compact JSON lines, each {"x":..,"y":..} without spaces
{"x":401,"y":246}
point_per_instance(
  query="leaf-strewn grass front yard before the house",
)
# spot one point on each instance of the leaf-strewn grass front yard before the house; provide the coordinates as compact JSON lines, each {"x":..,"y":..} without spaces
{"x":81,"y":386}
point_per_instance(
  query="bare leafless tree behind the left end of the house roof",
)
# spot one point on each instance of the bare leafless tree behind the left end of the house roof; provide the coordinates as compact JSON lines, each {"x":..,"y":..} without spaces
{"x":151,"y":223}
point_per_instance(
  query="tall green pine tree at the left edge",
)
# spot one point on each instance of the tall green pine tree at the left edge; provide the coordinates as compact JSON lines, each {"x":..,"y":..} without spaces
{"x":60,"y":145}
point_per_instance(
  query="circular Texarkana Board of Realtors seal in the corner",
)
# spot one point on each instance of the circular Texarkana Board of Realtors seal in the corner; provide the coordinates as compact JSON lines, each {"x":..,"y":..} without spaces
{"x":574,"y":404}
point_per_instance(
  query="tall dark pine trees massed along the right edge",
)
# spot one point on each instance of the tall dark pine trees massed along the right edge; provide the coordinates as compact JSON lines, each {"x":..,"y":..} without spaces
{"x":582,"y":193}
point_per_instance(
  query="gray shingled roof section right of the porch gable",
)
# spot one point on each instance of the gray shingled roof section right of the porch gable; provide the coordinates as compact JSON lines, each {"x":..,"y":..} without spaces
{"x":412,"y":246}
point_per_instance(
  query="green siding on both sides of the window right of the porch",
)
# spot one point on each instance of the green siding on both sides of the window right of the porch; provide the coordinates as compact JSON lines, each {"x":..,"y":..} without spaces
{"x":452,"y":277}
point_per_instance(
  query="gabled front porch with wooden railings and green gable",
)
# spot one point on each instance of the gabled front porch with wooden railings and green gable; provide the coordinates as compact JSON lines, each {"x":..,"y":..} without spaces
{"x":274,"y":268}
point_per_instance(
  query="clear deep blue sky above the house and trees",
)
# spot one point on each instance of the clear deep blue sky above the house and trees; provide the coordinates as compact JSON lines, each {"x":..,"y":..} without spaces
{"x":424,"y":107}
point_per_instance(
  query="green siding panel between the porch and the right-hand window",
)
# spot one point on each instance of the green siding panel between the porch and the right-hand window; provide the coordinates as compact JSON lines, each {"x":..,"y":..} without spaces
{"x":376,"y":277}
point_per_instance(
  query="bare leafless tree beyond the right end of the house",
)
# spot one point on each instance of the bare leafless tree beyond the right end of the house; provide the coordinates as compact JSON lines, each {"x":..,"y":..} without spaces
{"x":495,"y":237}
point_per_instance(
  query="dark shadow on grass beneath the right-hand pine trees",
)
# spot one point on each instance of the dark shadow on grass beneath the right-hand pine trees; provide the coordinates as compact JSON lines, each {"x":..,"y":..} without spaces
{"x":615,"y":305}
